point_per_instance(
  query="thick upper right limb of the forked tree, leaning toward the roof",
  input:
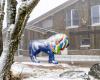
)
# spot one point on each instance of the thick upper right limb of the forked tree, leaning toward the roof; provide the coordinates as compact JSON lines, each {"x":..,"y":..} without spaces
{"x":22,"y":16}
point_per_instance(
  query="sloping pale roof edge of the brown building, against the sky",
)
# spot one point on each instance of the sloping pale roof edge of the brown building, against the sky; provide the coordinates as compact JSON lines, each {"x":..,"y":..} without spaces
{"x":51,"y":12}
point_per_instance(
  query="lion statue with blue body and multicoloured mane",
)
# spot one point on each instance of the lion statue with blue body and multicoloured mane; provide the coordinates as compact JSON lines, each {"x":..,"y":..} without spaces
{"x":51,"y":46}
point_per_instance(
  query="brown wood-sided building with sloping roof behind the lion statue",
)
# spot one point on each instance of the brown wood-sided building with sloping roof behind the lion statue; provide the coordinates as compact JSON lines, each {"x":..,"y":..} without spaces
{"x":79,"y":19}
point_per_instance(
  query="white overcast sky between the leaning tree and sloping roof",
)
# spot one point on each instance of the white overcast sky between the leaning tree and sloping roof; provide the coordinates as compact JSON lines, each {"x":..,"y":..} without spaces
{"x":44,"y":6}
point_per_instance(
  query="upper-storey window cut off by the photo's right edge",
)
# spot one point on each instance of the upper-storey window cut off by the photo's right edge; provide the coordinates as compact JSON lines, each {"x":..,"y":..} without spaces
{"x":95,"y":14}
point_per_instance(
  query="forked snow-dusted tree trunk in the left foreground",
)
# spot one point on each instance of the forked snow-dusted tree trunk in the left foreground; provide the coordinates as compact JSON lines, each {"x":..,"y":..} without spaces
{"x":16,"y":27}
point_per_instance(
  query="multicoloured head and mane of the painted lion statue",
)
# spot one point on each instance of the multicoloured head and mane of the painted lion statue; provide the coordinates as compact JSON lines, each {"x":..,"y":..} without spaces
{"x":60,"y":42}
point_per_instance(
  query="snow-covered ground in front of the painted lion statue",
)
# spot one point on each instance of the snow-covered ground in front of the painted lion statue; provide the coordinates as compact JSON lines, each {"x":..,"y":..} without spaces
{"x":45,"y":71}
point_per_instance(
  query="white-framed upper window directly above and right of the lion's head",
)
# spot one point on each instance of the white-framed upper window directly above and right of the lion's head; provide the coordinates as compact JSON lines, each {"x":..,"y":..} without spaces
{"x":72,"y":18}
